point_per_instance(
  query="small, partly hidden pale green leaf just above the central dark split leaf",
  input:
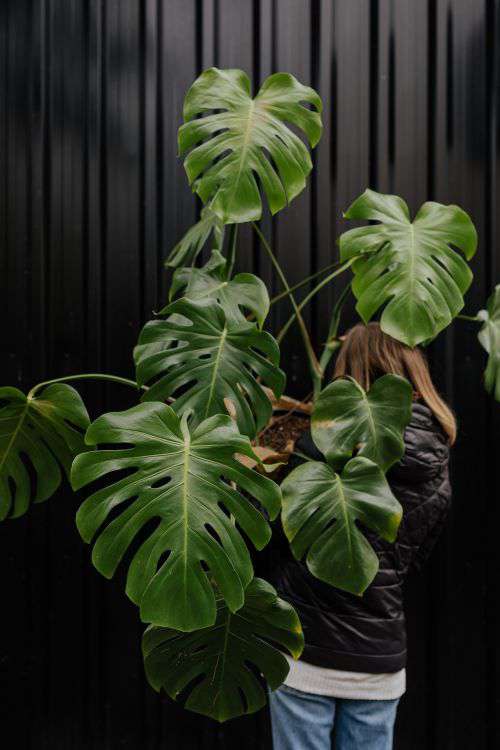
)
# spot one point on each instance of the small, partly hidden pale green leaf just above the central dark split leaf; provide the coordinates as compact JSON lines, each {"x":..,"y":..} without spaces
{"x":243,"y":292}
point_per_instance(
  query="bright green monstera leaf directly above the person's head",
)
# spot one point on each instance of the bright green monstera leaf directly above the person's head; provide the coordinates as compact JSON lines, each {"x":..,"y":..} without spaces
{"x":409,"y":268}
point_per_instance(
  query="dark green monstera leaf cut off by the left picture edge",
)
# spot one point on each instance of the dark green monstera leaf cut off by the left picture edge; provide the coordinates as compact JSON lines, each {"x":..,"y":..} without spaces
{"x":39,"y":436}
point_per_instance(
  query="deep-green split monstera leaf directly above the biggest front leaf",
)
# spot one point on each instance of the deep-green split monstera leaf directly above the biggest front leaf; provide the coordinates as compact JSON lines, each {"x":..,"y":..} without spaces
{"x":205,"y":360}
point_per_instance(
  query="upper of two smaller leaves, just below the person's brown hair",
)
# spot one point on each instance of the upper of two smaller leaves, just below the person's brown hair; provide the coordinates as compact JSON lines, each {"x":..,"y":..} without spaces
{"x":346,"y":418}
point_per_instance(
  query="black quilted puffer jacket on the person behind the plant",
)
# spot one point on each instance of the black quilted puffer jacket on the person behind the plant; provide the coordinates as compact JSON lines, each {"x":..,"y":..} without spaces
{"x":367,"y":634}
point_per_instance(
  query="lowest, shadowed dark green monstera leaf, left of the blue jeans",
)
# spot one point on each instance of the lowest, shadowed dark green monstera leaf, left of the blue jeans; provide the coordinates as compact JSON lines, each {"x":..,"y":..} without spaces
{"x":217,"y":667}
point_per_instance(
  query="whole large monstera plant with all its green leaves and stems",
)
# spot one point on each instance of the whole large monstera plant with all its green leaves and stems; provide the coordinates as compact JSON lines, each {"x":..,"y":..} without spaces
{"x":170,"y":490}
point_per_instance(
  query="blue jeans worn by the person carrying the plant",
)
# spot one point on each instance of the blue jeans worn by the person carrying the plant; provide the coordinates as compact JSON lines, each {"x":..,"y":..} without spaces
{"x":303,"y":721}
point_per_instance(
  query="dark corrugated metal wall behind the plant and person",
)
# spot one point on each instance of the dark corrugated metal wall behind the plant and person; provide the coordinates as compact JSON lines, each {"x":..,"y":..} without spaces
{"x":92,"y":199}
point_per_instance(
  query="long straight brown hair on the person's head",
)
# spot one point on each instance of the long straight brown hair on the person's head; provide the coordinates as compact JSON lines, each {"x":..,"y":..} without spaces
{"x":368,"y":353}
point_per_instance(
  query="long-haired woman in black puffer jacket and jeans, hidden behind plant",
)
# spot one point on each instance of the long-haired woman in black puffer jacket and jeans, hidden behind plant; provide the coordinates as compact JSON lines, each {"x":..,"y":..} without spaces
{"x":352,"y":672}
